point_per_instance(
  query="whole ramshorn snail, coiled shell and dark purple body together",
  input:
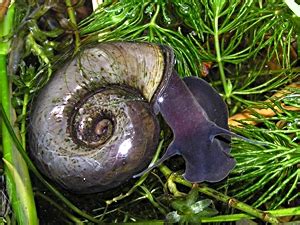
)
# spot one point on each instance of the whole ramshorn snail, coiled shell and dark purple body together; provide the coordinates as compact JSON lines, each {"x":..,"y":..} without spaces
{"x":94,"y":125}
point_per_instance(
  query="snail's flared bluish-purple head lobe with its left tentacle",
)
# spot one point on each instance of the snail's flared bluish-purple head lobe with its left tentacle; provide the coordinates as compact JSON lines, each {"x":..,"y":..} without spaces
{"x":206,"y":160}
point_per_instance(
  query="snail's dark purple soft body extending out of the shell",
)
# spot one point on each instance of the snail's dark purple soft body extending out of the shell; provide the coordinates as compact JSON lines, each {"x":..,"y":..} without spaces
{"x":197,"y":117}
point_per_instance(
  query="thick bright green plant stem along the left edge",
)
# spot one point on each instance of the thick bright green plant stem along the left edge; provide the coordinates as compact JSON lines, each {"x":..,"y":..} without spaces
{"x":16,"y":171}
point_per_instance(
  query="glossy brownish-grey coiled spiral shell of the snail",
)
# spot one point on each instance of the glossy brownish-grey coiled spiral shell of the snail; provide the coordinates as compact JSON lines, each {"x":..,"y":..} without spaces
{"x":92,"y":126}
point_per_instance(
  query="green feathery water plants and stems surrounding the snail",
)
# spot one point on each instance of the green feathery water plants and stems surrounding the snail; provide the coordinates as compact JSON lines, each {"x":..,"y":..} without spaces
{"x":251,"y":50}
